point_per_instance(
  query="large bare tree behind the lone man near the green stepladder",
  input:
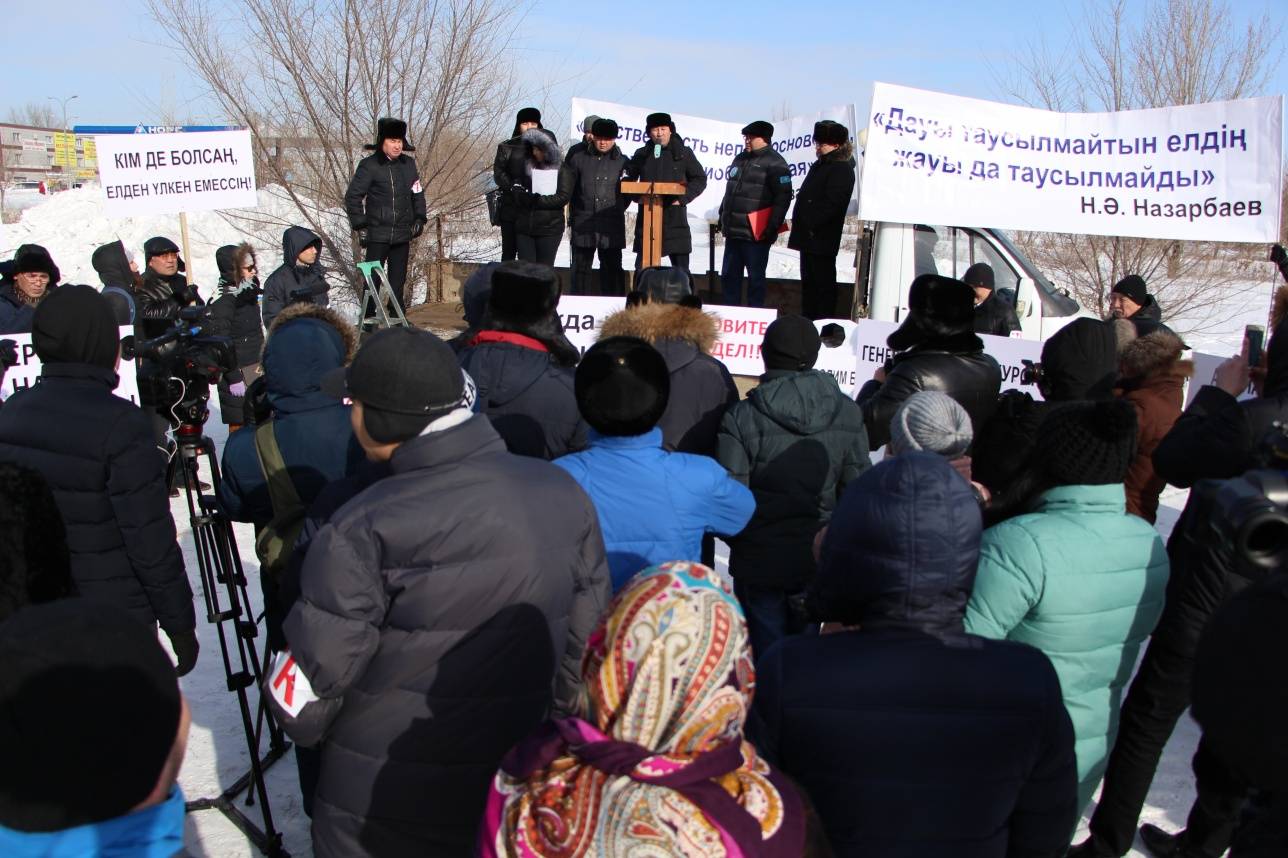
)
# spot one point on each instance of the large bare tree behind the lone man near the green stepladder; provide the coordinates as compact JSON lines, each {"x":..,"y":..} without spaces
{"x":310,"y":79}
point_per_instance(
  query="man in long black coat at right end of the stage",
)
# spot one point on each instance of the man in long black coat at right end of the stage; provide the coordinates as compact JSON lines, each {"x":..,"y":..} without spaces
{"x":820,"y":217}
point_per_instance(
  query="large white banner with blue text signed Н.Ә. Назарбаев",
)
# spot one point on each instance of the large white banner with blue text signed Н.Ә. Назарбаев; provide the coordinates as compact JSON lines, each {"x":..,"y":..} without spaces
{"x":1200,"y":172}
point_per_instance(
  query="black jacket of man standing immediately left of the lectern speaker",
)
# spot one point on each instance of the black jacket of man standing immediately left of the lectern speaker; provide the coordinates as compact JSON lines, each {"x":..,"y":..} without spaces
{"x":594,"y":187}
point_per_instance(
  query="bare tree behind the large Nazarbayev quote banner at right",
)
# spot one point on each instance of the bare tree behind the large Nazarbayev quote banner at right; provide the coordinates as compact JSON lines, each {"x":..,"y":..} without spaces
{"x":1180,"y":52}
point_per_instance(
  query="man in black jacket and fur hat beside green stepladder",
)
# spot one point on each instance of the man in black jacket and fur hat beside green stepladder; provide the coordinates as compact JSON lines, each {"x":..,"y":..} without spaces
{"x":387,"y":204}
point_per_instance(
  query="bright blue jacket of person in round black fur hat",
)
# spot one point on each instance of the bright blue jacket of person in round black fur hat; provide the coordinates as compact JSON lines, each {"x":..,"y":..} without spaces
{"x":655,"y":506}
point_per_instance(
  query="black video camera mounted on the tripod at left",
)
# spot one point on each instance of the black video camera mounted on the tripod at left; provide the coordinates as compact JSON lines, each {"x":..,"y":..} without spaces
{"x":180,"y":367}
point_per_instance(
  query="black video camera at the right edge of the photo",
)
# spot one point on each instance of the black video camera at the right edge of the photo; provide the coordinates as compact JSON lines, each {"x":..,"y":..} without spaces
{"x":1250,"y":513}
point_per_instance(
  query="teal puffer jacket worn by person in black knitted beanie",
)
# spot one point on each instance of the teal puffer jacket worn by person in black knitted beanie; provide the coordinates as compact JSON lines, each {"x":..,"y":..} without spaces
{"x":1083,"y":582}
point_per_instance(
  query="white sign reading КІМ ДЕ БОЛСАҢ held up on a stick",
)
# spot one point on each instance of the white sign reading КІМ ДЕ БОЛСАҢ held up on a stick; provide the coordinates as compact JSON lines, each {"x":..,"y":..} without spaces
{"x":146,"y":175}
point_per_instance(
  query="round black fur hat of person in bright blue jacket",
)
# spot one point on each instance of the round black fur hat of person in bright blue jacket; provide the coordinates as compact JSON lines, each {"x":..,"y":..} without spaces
{"x":623,"y":387}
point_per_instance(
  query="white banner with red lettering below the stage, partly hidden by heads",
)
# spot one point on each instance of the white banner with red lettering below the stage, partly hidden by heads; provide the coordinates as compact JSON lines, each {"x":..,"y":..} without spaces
{"x":743,"y":329}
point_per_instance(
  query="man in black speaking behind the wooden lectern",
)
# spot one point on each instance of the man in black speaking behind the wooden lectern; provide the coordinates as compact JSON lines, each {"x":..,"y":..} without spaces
{"x":668,"y":159}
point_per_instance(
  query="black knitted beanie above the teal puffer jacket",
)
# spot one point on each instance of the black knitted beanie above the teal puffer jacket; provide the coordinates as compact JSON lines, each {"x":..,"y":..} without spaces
{"x":1088,"y":444}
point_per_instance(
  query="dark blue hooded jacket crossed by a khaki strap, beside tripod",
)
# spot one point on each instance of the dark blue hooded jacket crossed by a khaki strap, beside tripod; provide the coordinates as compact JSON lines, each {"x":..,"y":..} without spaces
{"x":312,"y":430}
